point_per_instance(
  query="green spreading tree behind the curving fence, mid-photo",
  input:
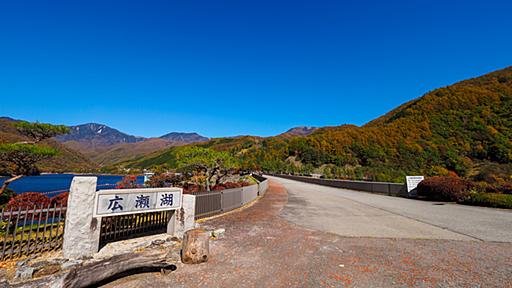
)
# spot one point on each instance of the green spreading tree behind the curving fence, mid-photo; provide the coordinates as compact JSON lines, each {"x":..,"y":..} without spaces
{"x":213,"y":163}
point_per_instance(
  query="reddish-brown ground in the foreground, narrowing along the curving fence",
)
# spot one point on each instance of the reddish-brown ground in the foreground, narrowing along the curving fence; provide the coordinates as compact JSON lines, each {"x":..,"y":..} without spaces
{"x":262,"y":249}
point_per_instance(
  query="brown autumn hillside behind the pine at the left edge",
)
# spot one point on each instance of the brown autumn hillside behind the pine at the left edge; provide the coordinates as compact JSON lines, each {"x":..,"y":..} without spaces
{"x":67,"y":159}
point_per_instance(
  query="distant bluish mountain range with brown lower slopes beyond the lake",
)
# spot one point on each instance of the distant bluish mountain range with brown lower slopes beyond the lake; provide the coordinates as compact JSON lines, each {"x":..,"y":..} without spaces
{"x":92,"y":145}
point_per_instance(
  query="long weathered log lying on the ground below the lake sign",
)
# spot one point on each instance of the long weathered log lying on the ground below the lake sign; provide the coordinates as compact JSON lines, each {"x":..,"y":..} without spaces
{"x":94,"y":273}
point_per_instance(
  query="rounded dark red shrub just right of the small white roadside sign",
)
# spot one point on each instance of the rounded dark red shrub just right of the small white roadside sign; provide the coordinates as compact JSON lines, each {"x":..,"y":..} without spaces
{"x":444,"y":188}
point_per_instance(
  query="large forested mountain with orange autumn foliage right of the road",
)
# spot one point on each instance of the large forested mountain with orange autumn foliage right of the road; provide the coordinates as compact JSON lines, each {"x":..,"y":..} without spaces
{"x":463,"y":129}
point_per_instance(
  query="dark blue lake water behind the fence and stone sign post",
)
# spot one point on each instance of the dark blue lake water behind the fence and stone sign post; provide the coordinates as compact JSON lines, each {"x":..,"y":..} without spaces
{"x":57,"y":183}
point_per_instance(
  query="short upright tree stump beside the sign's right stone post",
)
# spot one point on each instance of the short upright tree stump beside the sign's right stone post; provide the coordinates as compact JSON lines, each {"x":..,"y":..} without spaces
{"x":195,"y":247}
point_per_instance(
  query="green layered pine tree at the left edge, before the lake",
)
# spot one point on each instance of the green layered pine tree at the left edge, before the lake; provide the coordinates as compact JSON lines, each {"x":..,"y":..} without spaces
{"x":20,"y":158}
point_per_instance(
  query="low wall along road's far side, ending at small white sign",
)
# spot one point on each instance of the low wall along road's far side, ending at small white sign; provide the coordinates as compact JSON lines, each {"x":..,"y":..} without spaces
{"x":387,"y":188}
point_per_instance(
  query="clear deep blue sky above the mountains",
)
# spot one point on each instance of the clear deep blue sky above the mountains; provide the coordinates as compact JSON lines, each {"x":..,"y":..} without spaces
{"x":225,"y":68}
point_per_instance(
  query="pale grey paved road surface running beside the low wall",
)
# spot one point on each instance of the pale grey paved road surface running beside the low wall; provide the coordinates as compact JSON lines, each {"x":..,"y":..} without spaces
{"x":352,"y":213}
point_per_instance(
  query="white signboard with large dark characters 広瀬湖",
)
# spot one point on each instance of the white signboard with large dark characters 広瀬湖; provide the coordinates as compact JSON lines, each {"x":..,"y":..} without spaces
{"x":130,"y":201}
